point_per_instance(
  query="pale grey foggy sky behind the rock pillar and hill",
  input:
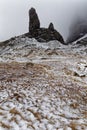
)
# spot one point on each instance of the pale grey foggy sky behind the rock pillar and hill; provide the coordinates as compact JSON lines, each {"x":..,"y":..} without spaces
{"x":14,"y":15}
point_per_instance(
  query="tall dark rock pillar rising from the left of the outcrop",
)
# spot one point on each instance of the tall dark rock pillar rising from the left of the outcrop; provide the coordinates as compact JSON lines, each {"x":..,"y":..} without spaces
{"x":34,"y":22}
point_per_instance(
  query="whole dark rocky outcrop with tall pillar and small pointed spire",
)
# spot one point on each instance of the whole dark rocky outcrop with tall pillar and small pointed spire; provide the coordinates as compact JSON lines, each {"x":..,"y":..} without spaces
{"x":42,"y":34}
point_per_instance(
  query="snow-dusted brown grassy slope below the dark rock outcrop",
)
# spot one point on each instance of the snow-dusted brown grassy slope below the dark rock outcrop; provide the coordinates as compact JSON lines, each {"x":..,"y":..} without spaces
{"x":43,"y":86}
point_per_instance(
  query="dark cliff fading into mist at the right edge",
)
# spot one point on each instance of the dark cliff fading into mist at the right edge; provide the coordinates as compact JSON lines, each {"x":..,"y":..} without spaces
{"x":77,"y":30}
